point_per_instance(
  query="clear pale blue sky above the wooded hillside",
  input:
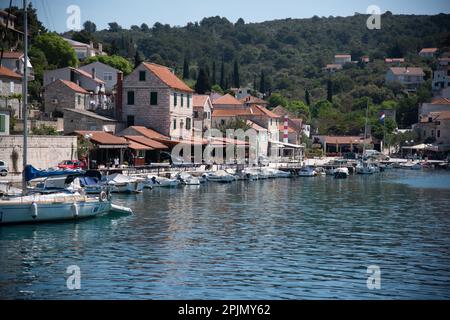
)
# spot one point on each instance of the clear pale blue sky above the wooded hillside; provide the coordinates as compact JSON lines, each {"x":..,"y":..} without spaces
{"x":179,"y":12}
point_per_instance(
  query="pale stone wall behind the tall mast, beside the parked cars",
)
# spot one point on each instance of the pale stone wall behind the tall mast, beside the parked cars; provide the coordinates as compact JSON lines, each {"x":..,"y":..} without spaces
{"x":43,"y":151}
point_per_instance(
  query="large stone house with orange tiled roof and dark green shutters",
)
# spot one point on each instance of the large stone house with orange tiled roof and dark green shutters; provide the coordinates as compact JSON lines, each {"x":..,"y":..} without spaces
{"x":154,"y":97}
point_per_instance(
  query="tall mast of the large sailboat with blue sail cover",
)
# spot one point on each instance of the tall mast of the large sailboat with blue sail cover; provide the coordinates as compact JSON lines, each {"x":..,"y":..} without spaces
{"x":25,"y":95}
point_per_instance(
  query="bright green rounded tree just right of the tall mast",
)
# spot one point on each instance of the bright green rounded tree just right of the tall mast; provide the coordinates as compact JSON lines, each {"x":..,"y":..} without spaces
{"x":57,"y":51}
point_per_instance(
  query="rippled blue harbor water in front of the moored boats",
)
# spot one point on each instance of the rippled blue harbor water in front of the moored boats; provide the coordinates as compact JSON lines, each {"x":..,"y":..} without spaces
{"x":303,"y":238}
